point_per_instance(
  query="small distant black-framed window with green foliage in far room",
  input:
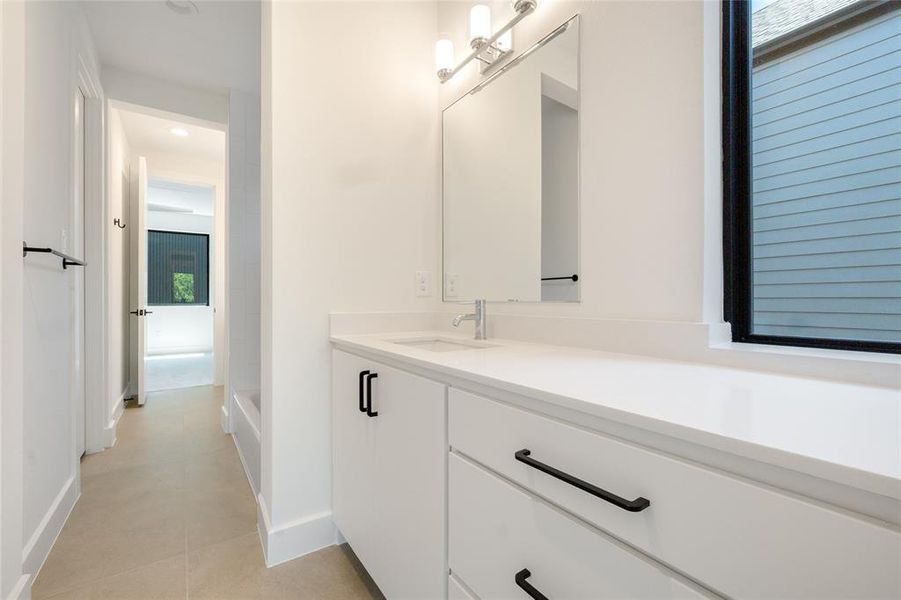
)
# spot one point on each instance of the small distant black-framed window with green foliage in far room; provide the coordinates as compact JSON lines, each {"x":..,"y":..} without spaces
{"x":178,"y":268}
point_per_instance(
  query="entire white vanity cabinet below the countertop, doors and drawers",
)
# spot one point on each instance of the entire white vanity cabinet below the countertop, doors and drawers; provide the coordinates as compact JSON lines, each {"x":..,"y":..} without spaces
{"x":446,"y":493}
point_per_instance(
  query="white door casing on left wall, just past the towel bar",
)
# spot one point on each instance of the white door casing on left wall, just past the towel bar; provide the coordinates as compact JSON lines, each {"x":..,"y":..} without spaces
{"x":86,"y":79}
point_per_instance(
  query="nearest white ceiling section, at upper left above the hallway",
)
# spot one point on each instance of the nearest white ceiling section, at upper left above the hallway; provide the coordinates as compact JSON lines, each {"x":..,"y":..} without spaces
{"x":219,"y":48}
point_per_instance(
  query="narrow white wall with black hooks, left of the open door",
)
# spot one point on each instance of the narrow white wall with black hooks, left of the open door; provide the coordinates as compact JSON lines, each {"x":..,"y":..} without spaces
{"x":118,"y":169}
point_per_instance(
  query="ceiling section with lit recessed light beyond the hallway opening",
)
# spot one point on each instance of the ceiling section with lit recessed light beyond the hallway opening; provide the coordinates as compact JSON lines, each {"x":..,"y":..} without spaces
{"x":148,"y":134}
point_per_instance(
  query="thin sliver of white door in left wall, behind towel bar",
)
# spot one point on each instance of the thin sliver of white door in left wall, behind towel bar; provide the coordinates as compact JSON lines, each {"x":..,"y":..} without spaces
{"x":76,"y":248}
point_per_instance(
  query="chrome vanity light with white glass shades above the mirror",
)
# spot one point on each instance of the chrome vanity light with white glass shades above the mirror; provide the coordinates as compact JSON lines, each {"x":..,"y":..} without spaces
{"x":487,"y":48}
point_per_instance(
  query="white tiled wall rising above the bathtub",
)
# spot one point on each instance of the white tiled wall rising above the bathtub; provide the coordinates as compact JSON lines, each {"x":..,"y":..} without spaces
{"x":244,"y":242}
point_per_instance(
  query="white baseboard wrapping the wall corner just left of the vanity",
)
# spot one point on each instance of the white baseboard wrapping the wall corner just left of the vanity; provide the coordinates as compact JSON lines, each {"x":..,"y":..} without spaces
{"x":294,"y":539}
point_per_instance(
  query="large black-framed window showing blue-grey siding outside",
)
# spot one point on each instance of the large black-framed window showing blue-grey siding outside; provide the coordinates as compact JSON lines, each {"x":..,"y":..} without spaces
{"x":812,"y":172}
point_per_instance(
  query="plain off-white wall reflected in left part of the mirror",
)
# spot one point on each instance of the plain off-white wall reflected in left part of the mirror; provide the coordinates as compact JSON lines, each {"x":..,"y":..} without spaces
{"x":492,"y":189}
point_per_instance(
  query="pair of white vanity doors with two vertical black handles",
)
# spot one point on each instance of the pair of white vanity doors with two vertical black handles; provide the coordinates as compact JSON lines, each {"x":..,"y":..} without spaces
{"x":389,"y":470}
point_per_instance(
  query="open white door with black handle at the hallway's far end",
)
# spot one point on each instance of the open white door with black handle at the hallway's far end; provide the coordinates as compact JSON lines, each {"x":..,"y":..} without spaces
{"x":138,"y":281}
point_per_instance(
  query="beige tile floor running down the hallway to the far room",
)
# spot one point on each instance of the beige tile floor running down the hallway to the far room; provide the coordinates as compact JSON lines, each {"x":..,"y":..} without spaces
{"x":168,"y":513}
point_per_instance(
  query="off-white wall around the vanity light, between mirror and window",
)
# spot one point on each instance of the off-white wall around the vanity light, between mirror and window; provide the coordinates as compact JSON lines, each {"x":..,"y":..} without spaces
{"x":642,"y":153}
